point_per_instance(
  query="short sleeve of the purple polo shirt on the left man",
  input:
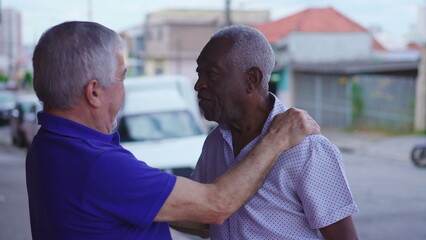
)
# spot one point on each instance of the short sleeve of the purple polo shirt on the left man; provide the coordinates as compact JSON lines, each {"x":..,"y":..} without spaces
{"x":126,"y":197}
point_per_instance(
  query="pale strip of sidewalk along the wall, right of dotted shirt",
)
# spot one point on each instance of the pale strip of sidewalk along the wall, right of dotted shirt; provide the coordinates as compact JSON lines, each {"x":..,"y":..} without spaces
{"x":374,"y":144}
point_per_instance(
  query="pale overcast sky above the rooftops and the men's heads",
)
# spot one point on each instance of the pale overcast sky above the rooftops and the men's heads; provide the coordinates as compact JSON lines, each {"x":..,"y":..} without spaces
{"x":394,"y":16}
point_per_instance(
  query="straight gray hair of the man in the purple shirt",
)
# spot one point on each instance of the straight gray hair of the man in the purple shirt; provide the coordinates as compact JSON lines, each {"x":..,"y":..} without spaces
{"x":68,"y":56}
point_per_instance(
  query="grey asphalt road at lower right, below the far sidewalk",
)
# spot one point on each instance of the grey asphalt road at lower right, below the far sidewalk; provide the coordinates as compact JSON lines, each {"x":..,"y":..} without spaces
{"x":391,"y":196}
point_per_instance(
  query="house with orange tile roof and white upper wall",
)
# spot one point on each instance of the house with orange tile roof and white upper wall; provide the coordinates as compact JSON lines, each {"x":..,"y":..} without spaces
{"x":315,"y":36}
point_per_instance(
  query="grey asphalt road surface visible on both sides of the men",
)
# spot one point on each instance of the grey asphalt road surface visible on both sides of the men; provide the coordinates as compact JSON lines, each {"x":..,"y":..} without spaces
{"x":391,"y":196}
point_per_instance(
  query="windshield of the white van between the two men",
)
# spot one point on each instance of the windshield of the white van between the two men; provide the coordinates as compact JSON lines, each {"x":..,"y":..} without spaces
{"x":157,"y":126}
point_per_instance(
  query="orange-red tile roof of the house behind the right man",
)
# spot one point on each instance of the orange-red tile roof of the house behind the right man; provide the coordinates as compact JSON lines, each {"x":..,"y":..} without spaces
{"x":312,"y":20}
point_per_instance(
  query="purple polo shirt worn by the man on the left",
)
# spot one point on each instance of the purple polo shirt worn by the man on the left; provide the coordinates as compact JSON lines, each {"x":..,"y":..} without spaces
{"x":83,"y":185}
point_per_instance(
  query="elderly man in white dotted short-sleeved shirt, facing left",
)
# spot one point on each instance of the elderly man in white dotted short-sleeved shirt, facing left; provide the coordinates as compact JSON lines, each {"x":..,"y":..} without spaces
{"x":306,"y":194}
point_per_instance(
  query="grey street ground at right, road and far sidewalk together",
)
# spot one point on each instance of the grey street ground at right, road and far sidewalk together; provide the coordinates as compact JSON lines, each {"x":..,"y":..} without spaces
{"x":389,"y":190}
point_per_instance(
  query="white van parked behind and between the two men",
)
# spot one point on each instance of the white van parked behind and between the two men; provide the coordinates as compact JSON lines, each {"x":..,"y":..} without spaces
{"x":160,"y":123}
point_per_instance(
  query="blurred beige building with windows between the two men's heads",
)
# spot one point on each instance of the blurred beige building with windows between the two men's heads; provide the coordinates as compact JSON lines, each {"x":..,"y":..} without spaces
{"x":174,"y":38}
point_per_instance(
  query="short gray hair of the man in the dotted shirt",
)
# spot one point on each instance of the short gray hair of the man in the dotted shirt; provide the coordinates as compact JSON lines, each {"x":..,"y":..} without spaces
{"x":250,"y":49}
